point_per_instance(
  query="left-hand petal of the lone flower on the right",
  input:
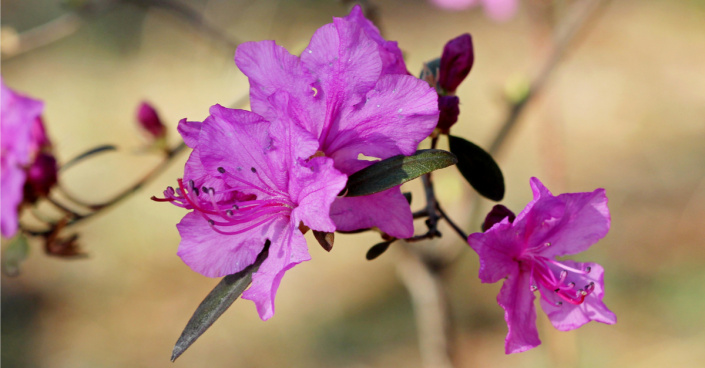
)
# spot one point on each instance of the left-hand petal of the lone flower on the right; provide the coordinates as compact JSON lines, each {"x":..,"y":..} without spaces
{"x":497,"y":248}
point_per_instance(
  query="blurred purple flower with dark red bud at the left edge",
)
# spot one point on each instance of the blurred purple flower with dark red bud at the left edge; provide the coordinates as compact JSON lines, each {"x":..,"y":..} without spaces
{"x":28,"y":165}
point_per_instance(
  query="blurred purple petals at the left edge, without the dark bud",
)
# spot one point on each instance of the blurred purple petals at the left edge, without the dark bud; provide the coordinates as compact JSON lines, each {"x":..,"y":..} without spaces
{"x":18,"y":115}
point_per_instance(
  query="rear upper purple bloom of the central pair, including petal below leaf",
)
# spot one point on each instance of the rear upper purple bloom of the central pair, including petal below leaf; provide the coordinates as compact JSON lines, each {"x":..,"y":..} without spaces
{"x":350,"y":89}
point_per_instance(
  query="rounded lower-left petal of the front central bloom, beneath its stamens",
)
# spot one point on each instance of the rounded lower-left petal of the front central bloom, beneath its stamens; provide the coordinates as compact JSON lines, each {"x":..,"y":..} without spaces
{"x":216,"y":255}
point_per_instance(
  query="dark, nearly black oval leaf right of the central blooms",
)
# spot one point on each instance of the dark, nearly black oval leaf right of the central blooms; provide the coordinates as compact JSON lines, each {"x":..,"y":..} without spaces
{"x":478,"y":168}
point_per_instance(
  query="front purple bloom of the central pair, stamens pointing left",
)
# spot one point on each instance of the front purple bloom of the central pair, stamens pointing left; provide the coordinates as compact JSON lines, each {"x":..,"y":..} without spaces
{"x":248,"y":181}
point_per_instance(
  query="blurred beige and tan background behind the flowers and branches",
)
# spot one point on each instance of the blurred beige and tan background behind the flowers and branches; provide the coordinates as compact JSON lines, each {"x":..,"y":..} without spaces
{"x":623,"y":110}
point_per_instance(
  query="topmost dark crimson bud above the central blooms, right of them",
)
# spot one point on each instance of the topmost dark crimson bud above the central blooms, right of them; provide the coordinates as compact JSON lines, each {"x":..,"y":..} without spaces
{"x":456,"y":62}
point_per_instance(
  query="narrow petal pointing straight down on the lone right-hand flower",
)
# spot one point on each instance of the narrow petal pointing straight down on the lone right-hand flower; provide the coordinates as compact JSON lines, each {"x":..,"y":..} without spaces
{"x":517,"y":299}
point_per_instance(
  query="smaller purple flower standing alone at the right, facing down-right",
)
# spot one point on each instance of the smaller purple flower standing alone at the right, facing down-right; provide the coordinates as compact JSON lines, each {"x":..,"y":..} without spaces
{"x":523,"y":252}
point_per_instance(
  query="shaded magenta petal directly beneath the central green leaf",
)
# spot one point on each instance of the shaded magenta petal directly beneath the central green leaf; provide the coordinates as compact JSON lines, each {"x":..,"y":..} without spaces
{"x":388,"y":210}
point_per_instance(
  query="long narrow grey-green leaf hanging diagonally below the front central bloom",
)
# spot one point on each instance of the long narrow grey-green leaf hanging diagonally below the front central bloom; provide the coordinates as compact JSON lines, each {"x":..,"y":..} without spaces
{"x":216,"y":303}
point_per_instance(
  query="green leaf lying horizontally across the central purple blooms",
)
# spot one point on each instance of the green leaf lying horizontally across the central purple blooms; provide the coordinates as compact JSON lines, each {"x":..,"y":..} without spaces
{"x":396,"y":170}
